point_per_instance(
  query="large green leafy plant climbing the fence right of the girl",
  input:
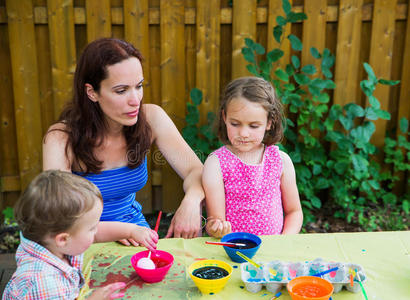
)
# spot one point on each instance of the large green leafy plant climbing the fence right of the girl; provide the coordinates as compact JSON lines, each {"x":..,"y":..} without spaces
{"x":330,"y":145}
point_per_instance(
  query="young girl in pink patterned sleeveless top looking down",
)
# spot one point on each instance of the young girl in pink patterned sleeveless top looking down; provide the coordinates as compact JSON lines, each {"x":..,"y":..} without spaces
{"x":250,"y":185}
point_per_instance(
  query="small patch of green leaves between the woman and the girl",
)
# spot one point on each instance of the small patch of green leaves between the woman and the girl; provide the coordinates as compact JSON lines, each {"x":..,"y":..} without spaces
{"x":201,"y":138}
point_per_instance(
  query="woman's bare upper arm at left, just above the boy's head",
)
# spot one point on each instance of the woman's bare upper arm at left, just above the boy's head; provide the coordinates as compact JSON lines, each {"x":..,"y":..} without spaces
{"x":54,"y":145}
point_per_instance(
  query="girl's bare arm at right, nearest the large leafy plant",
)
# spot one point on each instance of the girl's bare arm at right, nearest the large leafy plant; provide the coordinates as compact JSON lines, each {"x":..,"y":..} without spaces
{"x":293,"y":215}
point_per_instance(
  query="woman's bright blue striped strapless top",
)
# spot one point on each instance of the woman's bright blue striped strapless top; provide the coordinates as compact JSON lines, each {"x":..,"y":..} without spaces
{"x":118,"y":187}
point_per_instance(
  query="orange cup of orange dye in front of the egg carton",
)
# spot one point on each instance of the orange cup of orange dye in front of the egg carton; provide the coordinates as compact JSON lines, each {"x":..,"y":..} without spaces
{"x":309,"y":288}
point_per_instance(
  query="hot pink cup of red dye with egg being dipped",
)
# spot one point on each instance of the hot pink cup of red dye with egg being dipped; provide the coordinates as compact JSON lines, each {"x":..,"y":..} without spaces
{"x":162,"y":260}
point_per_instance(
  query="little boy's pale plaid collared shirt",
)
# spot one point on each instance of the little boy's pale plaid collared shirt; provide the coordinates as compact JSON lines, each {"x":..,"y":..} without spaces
{"x":42,"y":275}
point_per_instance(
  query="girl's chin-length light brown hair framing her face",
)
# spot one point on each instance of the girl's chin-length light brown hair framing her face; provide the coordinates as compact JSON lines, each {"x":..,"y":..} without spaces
{"x":257,"y":90}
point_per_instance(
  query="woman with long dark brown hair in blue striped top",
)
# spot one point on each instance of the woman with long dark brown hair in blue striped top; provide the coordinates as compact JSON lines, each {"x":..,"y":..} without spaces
{"x":105,"y":133}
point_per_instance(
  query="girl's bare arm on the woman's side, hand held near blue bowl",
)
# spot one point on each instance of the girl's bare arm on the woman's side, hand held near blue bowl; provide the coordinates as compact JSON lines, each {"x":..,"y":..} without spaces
{"x":212,"y":182}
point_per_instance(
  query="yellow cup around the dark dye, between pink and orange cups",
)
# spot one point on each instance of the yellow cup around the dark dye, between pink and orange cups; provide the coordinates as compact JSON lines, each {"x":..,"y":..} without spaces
{"x":208,"y":286}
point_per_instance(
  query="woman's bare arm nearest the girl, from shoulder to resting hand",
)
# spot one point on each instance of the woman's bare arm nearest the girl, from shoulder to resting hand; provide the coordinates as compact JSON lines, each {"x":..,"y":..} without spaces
{"x":186,"y":222}
